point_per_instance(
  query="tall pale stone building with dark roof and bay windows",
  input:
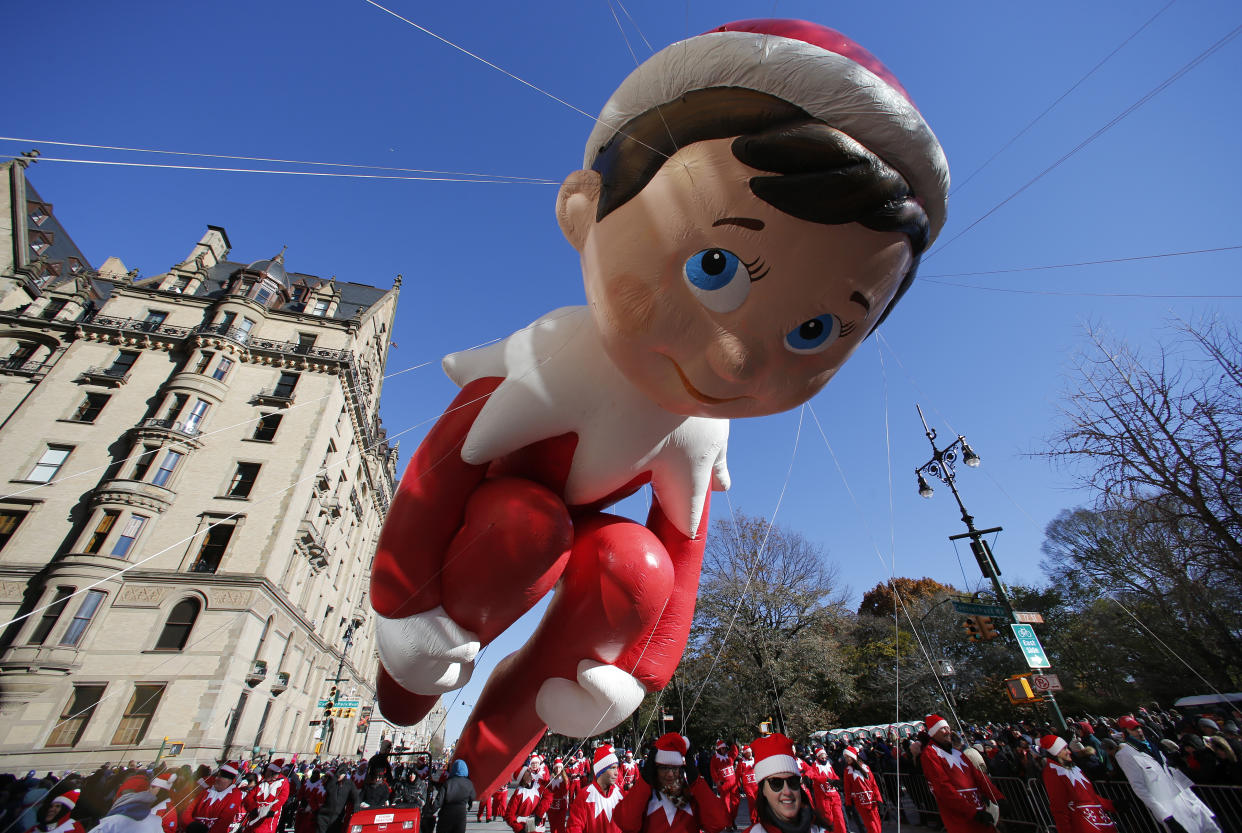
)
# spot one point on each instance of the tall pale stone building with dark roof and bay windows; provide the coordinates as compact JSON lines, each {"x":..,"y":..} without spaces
{"x":193,"y":480}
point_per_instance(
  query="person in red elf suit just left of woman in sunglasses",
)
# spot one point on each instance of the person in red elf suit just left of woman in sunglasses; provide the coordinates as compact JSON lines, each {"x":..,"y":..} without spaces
{"x":671,"y":798}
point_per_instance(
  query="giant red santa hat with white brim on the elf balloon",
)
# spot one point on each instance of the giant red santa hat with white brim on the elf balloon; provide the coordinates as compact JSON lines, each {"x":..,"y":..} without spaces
{"x":810,"y":66}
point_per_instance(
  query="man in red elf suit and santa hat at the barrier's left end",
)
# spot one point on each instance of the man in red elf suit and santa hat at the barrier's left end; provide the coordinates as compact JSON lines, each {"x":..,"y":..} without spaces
{"x":966,"y":796}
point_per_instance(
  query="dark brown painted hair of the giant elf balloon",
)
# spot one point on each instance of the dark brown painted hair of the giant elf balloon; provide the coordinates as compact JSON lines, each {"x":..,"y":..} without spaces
{"x":820,"y":174}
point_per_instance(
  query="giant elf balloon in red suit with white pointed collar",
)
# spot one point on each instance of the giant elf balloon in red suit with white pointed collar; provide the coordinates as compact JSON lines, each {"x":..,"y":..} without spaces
{"x":752,"y":204}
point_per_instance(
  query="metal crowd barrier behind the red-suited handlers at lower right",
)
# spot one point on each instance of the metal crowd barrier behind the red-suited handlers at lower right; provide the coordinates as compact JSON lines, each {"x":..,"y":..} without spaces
{"x":1027,"y":809}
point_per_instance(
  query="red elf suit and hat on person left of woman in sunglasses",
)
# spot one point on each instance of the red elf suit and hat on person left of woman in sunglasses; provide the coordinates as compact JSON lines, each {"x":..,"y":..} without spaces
{"x":645,"y":810}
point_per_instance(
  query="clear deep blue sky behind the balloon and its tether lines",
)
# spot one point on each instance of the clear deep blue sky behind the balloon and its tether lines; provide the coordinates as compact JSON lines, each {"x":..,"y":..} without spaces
{"x":986,"y":354}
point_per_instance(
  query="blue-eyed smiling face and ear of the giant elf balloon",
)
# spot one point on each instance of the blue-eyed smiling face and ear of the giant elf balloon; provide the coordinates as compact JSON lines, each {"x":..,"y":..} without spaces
{"x":714,"y":302}
